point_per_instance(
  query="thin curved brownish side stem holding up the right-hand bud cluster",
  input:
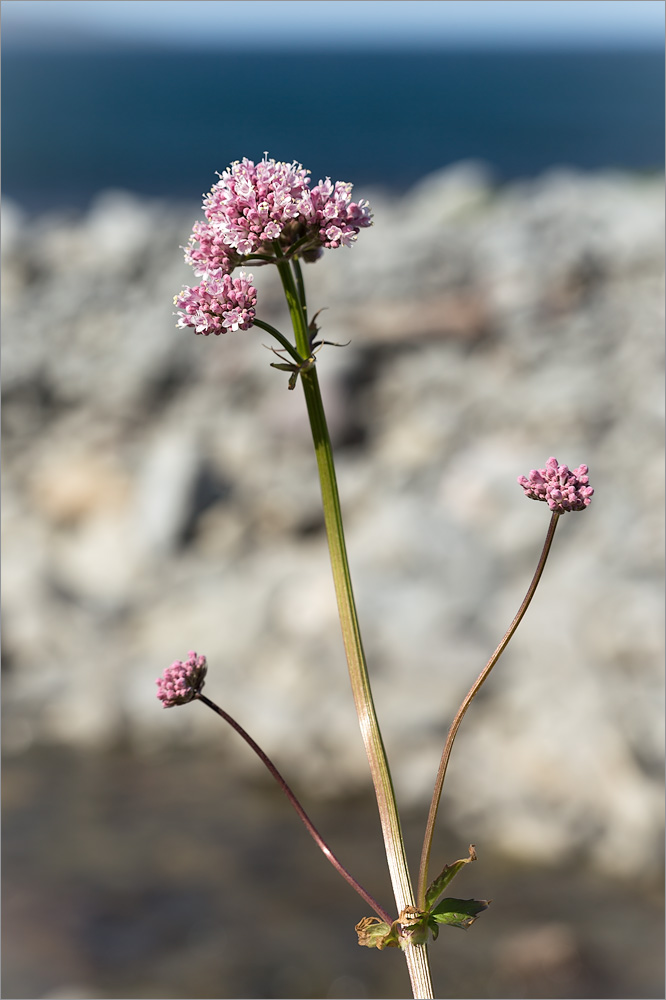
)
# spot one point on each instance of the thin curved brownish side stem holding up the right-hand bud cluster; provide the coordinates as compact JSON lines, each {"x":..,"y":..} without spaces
{"x":471,"y":694}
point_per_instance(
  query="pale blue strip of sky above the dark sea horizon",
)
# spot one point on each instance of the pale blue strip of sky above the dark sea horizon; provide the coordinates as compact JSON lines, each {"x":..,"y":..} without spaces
{"x":341,"y":23}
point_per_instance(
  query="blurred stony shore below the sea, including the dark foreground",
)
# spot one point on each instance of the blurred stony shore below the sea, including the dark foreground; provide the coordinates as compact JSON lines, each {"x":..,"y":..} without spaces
{"x":160,"y":495}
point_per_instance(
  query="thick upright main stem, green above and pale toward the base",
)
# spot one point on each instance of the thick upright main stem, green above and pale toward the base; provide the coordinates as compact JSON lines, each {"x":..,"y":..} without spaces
{"x":416,"y":955}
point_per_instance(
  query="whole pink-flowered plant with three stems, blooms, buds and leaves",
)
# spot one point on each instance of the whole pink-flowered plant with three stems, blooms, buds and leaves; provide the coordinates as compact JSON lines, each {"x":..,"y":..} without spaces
{"x":268,"y":213}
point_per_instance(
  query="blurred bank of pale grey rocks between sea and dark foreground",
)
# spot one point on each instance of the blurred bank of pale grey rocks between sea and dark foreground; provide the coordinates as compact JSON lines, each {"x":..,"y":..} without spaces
{"x":160,"y":494}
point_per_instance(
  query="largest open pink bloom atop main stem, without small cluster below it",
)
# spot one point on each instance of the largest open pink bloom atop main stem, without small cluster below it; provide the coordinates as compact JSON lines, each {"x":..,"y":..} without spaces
{"x":253,"y":205}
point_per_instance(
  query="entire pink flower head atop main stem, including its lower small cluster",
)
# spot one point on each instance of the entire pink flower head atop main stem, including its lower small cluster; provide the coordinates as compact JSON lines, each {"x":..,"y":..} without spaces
{"x":252,"y":207}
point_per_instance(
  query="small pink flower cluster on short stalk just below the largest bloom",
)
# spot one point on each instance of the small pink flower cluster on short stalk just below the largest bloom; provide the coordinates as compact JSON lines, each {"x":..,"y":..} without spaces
{"x":218,"y":304}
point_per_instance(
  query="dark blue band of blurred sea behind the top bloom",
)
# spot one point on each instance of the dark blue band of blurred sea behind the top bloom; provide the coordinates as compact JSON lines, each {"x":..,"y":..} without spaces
{"x":163,"y":122}
